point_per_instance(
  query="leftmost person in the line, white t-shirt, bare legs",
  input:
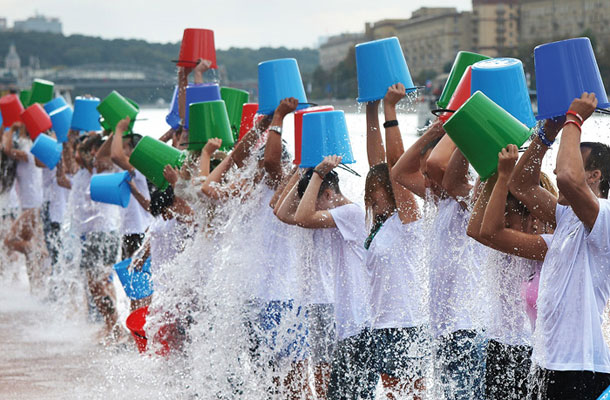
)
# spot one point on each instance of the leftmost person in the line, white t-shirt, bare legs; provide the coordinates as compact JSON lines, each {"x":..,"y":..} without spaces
{"x":26,"y":235}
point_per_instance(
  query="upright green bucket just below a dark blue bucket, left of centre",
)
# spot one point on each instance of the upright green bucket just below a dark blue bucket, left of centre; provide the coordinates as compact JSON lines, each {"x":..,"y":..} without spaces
{"x":207,"y":120}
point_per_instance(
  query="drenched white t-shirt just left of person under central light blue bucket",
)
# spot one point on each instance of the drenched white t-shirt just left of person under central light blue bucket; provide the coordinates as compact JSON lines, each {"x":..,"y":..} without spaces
{"x":277,"y":265}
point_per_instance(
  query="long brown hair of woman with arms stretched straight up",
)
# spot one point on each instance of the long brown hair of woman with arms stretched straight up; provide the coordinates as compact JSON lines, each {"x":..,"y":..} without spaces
{"x":377,"y":178}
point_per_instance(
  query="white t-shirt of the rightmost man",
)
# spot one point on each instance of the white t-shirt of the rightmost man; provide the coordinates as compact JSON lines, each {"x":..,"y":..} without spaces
{"x":574,"y":290}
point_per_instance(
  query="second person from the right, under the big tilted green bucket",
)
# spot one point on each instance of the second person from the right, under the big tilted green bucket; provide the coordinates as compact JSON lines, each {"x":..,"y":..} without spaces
{"x":501,"y":222}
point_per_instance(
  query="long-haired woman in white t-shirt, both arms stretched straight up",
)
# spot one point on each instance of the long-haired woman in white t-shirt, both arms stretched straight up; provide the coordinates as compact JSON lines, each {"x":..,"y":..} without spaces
{"x":398,"y":317}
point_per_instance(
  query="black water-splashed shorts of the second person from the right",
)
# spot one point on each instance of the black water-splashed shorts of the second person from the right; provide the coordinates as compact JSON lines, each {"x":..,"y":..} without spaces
{"x":507,"y":370}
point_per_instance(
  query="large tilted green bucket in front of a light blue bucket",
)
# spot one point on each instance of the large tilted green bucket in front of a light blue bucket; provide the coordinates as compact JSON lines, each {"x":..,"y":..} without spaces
{"x":481,"y":129}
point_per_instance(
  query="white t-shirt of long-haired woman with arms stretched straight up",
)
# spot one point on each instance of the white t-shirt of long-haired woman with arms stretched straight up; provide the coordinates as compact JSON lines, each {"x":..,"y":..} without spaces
{"x":395,"y":261}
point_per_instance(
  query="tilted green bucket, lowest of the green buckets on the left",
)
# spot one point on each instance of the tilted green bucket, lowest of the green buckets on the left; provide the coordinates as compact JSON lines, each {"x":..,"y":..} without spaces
{"x":150,"y":157}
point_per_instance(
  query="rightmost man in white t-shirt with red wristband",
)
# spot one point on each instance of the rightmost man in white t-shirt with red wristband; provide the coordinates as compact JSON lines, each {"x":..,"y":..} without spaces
{"x":571,"y":358}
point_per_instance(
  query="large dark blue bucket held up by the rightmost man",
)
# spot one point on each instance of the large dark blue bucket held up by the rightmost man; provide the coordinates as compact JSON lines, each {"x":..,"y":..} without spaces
{"x":564,"y":70}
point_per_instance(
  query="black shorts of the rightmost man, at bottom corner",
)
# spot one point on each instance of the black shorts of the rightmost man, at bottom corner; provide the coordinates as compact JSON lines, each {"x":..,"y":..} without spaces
{"x":567,"y":385}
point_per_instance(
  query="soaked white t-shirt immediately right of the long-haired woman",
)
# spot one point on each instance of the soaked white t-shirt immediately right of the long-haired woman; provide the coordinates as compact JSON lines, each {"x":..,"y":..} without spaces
{"x":456,"y":261}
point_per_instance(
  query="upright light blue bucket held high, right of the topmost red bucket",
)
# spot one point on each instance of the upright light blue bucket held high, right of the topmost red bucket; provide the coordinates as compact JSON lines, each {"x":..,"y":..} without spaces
{"x":277,"y":80}
